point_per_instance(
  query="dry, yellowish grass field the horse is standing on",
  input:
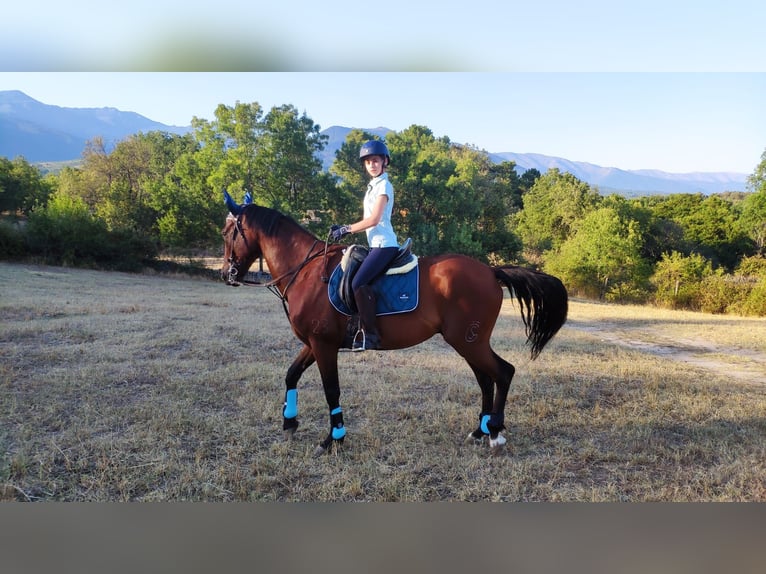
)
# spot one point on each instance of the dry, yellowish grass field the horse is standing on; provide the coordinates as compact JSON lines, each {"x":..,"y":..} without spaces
{"x":121,"y":387}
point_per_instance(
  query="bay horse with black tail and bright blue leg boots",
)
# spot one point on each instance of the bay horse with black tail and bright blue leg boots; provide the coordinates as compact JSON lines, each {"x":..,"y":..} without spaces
{"x":459,"y":297}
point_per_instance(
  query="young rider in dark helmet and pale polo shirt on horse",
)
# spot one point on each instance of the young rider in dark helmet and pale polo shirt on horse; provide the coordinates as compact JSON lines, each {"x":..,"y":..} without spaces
{"x":381,"y":238}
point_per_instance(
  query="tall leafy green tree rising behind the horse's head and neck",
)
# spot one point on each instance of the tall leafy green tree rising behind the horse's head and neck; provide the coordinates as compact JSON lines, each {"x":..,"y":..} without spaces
{"x":273,"y":156}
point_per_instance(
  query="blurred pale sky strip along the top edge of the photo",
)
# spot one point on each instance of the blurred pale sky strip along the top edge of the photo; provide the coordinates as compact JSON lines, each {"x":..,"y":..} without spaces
{"x":295,"y":35}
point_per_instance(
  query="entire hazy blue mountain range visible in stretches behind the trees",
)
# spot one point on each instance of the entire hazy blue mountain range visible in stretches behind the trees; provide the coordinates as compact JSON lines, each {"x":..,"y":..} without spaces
{"x":44,"y":133}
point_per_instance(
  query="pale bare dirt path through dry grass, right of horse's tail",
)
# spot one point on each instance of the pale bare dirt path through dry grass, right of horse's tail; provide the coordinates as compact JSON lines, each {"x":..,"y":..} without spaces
{"x":745,"y":365}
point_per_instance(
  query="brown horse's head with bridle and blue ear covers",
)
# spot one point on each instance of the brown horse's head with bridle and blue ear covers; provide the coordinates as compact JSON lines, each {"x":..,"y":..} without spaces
{"x":240,"y":247}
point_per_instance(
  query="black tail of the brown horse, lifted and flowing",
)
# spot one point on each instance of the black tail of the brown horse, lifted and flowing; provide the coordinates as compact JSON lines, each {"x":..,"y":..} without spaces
{"x":543,"y":300}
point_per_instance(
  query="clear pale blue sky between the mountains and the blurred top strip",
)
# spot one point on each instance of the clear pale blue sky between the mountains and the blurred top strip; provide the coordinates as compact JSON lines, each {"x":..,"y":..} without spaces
{"x":675,"y":122}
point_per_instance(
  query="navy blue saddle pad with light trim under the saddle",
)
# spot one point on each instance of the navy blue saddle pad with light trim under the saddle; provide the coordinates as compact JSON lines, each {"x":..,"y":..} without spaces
{"x":394,"y":293}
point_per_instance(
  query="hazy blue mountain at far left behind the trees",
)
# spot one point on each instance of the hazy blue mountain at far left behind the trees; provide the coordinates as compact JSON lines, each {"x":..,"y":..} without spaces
{"x":44,"y":133}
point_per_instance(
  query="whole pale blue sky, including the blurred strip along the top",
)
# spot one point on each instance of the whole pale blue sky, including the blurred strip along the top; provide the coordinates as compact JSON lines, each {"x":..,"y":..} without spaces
{"x":672,"y":85}
